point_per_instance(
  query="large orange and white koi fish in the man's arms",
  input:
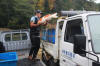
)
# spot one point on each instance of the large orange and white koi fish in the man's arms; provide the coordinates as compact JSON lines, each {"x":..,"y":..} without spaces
{"x":47,"y":17}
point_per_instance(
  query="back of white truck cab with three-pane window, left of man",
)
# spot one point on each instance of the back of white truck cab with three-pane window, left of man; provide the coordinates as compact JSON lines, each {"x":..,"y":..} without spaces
{"x":16,"y":40}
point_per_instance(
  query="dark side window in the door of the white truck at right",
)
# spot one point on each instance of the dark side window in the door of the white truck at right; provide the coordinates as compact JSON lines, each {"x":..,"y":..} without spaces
{"x":73,"y":27}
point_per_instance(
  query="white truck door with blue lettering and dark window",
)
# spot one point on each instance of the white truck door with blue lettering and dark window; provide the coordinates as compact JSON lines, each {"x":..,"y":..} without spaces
{"x":67,"y":55}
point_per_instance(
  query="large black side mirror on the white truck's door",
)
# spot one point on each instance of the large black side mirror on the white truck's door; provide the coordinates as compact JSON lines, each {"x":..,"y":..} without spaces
{"x":79,"y":44}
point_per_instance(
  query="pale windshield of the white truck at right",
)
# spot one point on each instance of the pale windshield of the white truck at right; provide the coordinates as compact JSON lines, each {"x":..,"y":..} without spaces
{"x":94,"y":25}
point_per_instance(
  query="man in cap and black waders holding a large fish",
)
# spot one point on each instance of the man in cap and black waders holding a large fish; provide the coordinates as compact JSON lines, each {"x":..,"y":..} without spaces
{"x":35,"y":34}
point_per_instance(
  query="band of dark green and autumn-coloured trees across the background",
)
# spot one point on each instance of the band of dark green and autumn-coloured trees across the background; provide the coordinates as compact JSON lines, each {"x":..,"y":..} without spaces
{"x":16,"y":14}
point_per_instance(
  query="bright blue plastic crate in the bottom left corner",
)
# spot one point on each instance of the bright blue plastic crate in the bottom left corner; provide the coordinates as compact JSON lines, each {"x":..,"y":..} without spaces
{"x":8,"y":59}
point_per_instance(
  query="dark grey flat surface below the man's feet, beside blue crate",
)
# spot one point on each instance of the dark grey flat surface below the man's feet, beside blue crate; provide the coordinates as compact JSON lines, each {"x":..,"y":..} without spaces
{"x":26,"y":62}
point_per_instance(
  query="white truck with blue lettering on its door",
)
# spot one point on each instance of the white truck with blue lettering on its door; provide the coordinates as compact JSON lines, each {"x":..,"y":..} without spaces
{"x":77,"y":41}
